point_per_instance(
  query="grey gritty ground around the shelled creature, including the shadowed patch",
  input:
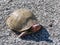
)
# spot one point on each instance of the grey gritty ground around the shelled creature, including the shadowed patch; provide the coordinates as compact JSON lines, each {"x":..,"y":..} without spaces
{"x":47,"y":13}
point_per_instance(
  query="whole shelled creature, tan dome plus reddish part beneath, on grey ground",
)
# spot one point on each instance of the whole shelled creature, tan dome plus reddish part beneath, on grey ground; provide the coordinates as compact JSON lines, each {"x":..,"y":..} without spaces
{"x":23,"y":21}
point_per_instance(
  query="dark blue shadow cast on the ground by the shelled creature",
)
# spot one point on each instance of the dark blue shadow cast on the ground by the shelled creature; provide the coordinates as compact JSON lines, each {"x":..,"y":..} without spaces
{"x":41,"y":35}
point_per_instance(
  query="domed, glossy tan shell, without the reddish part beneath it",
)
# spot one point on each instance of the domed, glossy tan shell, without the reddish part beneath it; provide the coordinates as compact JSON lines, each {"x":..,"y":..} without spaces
{"x":20,"y":20}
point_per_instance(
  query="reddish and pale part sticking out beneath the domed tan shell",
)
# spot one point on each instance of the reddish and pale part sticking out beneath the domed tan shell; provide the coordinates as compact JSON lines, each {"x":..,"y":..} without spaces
{"x":34,"y":28}
